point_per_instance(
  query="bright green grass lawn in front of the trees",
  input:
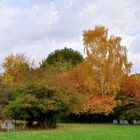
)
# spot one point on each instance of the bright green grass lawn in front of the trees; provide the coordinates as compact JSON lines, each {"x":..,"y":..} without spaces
{"x":77,"y":132}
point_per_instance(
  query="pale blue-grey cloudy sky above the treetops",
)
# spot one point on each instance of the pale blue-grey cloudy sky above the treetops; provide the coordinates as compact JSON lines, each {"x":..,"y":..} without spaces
{"x":37,"y":27}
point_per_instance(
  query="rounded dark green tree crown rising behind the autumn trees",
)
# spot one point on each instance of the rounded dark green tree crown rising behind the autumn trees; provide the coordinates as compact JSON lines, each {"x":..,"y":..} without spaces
{"x":64,"y":59}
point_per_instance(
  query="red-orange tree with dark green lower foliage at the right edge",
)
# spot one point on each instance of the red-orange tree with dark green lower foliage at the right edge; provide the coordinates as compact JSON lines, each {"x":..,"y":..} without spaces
{"x":128,"y":99}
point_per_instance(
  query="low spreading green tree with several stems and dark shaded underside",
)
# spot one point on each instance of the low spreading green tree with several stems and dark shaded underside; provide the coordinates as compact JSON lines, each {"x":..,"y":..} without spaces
{"x":36,"y":104}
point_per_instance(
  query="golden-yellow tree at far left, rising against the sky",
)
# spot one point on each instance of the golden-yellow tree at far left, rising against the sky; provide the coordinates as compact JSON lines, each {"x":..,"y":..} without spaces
{"x":14,"y":66}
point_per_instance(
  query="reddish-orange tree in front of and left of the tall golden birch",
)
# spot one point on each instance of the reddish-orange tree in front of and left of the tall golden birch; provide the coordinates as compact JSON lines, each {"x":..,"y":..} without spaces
{"x":90,"y":101}
